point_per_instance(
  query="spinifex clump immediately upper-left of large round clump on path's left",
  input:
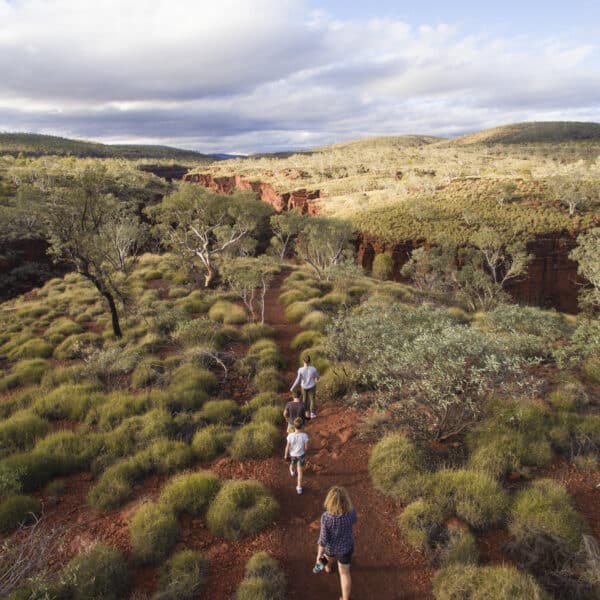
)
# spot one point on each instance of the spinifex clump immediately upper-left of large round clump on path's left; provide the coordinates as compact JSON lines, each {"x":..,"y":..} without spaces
{"x":190,"y":492}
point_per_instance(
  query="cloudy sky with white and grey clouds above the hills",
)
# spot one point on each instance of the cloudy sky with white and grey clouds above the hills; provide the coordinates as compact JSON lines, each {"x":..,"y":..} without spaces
{"x":264,"y":75}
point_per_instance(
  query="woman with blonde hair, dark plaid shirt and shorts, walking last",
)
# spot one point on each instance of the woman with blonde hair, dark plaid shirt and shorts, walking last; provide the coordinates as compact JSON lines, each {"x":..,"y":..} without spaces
{"x":336,"y":541}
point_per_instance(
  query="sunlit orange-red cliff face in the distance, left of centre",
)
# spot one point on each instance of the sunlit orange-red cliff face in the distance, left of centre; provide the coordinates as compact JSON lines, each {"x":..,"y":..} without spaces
{"x":301,"y":199}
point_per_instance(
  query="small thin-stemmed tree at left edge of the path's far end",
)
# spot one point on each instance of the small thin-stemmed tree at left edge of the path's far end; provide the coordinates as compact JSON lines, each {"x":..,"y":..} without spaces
{"x":250,"y":279}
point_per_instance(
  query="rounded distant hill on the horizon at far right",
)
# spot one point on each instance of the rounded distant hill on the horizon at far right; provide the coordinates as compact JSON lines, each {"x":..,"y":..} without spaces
{"x":531,"y":133}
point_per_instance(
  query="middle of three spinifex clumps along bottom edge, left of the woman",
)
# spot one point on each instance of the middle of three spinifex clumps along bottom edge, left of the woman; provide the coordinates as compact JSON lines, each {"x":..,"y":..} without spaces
{"x":183,"y":576}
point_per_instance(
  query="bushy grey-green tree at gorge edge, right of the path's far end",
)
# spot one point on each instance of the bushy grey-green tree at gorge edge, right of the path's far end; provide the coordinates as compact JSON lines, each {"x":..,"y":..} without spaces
{"x":324,"y":243}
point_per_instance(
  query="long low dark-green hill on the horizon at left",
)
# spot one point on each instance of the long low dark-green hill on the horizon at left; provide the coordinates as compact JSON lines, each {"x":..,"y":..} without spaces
{"x":33,"y":144}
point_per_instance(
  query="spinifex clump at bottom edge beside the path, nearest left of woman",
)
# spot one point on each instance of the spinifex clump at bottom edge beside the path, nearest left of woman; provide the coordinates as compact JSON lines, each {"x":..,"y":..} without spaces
{"x":263,"y":580}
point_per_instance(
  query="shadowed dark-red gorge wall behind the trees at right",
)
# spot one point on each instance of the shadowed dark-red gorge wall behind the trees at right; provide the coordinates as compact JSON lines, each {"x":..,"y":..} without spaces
{"x":551,"y":280}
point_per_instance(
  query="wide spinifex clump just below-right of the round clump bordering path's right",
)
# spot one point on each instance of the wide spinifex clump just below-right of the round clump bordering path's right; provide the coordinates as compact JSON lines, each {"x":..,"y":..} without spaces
{"x":472,"y":496}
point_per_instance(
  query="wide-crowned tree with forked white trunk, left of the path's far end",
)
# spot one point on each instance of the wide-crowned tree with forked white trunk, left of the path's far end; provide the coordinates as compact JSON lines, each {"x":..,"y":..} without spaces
{"x":198,"y":223}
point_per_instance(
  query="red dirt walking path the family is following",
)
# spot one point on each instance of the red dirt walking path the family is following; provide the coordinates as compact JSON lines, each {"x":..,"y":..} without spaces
{"x":384,"y":567}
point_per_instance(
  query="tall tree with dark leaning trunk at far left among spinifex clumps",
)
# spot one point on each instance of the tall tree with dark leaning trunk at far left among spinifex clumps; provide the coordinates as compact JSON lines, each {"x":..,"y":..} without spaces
{"x":96,"y":233}
